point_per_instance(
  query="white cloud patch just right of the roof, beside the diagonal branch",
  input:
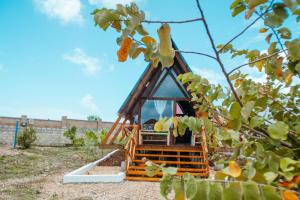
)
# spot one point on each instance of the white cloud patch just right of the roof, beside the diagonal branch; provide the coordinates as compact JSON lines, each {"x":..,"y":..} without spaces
{"x":212,"y":76}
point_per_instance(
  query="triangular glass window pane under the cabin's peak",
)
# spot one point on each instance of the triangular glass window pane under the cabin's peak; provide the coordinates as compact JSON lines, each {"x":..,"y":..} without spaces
{"x":169,"y":88}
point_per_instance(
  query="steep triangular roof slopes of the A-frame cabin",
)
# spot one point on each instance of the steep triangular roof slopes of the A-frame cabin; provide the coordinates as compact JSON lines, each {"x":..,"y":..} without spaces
{"x":151,"y":76}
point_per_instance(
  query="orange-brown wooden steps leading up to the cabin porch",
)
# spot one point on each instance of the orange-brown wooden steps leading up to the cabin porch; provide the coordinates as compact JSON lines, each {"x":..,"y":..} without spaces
{"x":190,"y":159}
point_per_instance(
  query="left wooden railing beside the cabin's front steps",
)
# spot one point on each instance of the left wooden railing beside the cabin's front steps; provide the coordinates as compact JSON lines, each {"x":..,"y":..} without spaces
{"x":132,"y":133}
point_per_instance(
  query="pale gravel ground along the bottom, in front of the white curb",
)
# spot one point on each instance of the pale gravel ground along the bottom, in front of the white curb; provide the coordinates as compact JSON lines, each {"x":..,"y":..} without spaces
{"x":52,"y":187}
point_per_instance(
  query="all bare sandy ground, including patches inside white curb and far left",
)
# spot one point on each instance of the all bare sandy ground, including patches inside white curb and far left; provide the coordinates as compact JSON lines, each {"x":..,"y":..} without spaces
{"x":49,"y":186}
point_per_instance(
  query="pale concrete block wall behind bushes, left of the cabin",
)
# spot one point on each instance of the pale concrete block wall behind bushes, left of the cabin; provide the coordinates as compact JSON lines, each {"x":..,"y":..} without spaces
{"x":49,"y":132}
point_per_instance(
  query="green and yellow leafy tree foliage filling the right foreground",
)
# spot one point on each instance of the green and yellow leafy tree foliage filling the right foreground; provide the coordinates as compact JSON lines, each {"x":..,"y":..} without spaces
{"x":258,"y":120}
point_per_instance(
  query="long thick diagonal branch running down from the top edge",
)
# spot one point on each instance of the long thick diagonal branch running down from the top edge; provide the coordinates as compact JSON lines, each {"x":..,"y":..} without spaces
{"x":217,"y":55}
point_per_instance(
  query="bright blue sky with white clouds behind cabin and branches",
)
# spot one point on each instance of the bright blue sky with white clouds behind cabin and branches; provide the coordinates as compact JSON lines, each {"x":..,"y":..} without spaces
{"x":54,"y":61}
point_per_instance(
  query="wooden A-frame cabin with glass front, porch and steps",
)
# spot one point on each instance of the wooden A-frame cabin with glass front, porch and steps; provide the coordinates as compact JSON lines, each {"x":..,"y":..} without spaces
{"x":158,"y":94}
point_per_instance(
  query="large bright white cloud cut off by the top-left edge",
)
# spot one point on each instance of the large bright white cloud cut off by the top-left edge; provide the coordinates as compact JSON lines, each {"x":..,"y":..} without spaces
{"x":65,"y":10}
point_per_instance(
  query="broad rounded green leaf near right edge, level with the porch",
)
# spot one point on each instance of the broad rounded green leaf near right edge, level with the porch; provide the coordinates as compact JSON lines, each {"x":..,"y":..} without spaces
{"x":279,"y":130}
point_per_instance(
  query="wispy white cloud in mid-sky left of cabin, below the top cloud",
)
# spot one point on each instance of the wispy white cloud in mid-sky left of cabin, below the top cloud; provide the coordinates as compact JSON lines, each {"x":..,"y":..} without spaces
{"x":78,"y":56}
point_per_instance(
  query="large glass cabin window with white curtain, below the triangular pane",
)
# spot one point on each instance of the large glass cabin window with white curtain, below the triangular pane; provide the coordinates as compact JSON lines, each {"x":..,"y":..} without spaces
{"x":153,"y":110}
